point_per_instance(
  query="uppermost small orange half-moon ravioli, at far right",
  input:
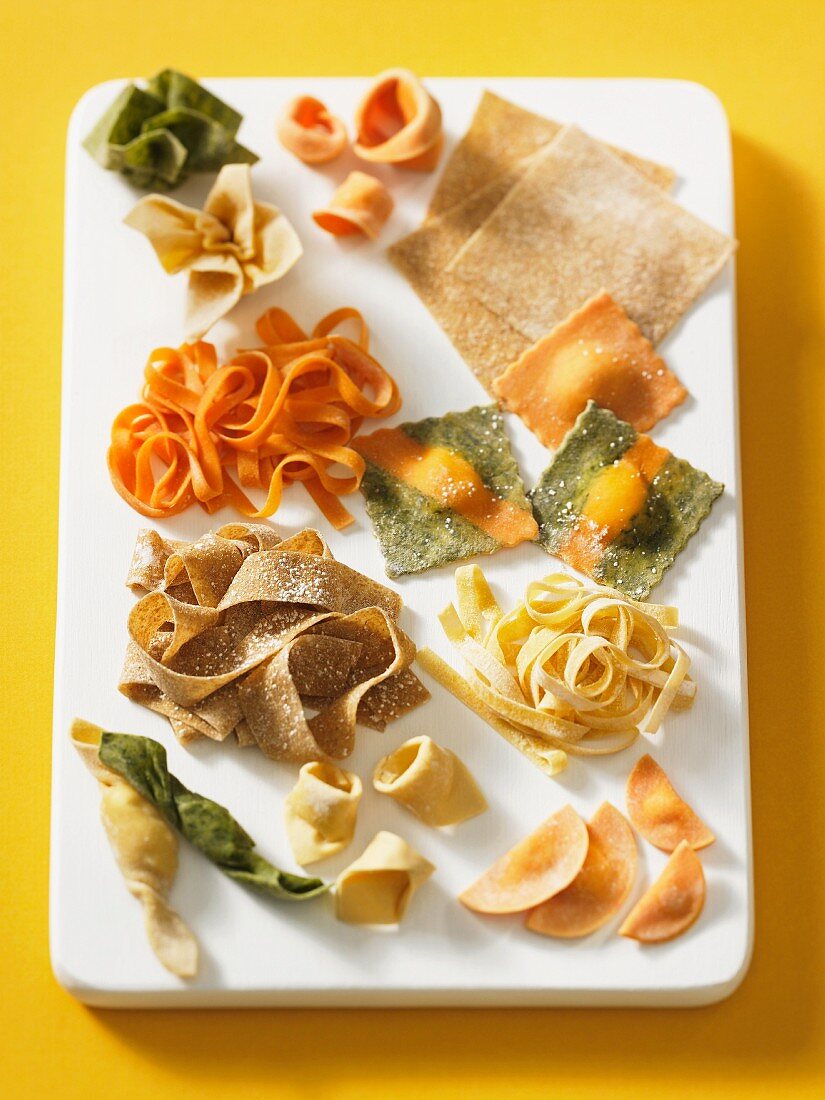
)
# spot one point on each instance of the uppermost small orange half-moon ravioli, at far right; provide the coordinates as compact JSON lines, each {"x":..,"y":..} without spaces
{"x":658,"y":812}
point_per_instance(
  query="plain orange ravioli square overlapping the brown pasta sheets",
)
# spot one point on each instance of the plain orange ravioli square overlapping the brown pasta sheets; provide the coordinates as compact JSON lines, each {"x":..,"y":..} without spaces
{"x":598,"y":354}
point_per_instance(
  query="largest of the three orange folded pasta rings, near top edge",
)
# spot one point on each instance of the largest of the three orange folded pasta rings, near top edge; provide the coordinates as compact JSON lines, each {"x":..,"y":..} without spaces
{"x":399,"y":123}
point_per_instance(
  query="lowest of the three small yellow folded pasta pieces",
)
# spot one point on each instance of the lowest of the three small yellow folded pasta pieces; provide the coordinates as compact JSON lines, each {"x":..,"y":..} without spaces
{"x":379,"y":886}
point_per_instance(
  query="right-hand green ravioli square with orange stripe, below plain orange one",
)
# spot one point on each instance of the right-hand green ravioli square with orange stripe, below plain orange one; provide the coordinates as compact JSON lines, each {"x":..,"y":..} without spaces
{"x":617,"y":507}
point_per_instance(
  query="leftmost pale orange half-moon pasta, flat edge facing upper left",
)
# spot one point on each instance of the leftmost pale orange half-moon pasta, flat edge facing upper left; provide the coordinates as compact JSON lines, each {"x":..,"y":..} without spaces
{"x":541,"y":866}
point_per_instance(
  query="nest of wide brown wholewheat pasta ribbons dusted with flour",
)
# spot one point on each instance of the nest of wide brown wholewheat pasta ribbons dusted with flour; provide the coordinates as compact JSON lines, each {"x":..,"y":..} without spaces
{"x":241,"y":633}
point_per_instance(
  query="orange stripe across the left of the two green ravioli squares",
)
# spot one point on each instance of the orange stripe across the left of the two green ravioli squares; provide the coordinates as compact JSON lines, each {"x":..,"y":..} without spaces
{"x":450,"y":480}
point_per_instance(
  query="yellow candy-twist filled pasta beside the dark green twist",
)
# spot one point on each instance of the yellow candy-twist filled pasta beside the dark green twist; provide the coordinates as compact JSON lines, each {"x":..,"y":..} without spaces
{"x":146,"y":848}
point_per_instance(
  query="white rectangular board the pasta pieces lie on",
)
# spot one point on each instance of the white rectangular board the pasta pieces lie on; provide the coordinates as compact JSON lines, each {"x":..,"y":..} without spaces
{"x":118,"y":306}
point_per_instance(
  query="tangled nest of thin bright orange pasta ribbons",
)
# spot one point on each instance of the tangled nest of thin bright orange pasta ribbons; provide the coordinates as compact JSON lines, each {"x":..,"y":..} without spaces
{"x":280,"y":414}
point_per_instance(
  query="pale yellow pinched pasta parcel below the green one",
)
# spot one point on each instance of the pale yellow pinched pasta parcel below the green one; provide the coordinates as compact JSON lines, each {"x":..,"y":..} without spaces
{"x":230,"y":248}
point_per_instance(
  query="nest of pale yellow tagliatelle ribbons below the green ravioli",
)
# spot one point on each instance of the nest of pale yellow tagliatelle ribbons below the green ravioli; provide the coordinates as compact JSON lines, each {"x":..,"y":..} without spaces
{"x":570,"y":669}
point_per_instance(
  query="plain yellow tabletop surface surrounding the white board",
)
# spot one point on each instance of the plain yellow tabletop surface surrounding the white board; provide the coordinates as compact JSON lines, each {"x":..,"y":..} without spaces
{"x":767,"y":63}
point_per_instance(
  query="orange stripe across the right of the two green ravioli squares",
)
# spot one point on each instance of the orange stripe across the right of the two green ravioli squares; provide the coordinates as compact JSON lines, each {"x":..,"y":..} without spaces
{"x":617,"y":496}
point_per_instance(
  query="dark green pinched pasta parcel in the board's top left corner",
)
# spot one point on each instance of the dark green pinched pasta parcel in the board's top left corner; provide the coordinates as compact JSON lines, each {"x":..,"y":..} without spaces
{"x":158,"y":137}
